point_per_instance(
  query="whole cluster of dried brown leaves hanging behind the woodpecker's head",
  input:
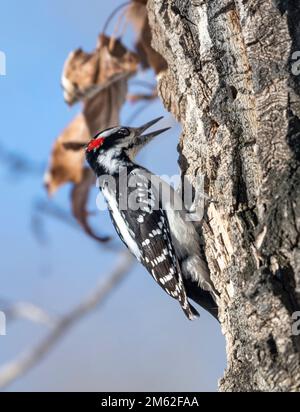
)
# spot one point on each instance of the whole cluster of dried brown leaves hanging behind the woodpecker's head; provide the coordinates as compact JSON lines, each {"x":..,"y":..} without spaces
{"x":99,"y":80}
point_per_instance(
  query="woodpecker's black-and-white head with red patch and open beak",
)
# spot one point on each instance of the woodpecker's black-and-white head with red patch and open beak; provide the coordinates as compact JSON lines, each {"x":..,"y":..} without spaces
{"x":119,"y":142}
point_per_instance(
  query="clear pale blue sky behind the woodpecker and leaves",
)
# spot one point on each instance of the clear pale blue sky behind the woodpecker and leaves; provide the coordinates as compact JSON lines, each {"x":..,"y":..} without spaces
{"x":140,"y":340}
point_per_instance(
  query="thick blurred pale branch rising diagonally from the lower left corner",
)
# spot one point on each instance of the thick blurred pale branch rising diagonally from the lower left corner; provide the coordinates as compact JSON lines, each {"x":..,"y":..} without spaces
{"x":18,"y":367}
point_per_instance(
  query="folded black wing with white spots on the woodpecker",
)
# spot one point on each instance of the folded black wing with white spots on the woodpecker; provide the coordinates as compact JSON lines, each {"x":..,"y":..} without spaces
{"x":144,"y":228}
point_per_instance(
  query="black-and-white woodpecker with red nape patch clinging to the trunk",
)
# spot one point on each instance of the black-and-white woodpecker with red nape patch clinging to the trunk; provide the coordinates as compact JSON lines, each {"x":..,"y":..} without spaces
{"x":154,"y":227}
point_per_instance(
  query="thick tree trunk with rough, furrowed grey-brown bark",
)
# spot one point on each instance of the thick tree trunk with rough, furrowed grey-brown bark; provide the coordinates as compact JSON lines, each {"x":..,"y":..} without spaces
{"x":231,"y":85}
